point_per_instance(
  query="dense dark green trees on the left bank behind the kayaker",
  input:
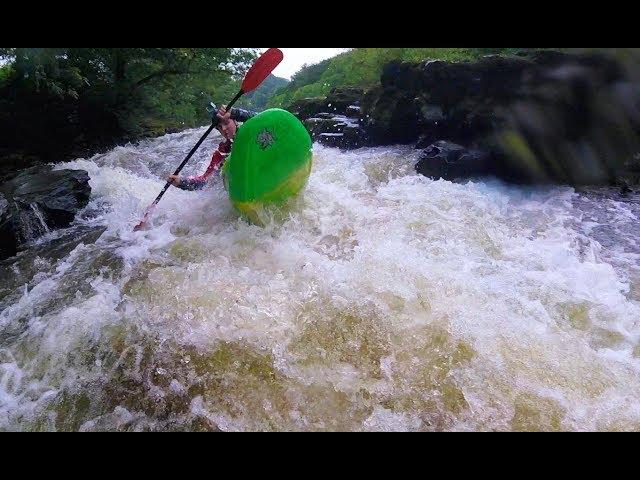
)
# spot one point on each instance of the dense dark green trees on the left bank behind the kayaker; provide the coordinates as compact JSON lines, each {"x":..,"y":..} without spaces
{"x":60,"y":101}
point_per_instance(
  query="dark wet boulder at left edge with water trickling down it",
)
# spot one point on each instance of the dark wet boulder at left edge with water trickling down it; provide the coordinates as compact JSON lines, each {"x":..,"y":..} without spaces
{"x":38,"y":200}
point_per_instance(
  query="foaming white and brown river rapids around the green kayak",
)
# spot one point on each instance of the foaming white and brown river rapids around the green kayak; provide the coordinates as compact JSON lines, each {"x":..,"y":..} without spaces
{"x":377,"y":300}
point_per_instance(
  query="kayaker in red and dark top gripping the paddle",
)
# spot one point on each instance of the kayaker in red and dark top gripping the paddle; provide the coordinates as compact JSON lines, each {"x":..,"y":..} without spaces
{"x":227,"y":126}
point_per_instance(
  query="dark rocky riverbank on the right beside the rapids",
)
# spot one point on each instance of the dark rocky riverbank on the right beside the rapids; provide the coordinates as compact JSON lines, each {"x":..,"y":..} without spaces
{"x":549,"y":118}
